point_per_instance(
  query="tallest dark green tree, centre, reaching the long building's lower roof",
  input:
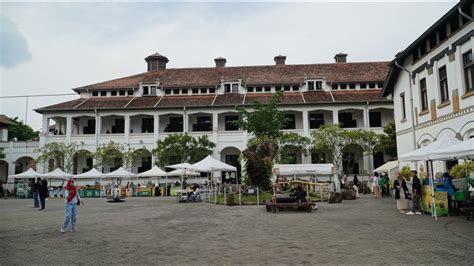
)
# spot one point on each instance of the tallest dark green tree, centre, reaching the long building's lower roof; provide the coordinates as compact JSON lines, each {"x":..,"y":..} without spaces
{"x":265,"y":123}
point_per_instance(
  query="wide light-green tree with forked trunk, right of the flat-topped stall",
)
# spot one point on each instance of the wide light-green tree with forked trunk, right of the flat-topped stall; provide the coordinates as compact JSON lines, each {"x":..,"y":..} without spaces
{"x":337,"y":140}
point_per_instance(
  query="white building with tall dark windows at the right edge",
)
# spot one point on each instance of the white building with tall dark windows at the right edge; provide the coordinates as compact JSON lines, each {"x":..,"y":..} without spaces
{"x":431,"y":83}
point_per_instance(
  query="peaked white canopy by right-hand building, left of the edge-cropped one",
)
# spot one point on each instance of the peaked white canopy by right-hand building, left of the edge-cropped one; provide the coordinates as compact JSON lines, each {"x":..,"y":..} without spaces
{"x":425,"y":153}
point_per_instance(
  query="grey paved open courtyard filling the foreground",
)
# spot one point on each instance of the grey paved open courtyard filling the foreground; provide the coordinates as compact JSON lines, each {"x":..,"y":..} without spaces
{"x":158,"y":230}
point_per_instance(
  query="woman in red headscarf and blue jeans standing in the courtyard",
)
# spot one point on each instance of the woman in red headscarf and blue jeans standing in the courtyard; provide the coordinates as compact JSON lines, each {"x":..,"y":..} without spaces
{"x":71,"y":200}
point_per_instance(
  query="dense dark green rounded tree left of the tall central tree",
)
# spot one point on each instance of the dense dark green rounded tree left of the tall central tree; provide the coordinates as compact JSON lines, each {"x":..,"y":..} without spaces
{"x":182,"y":148}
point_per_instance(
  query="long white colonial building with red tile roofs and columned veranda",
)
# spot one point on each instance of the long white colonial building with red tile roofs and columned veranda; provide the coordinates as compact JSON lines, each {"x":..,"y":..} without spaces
{"x":143,"y":108}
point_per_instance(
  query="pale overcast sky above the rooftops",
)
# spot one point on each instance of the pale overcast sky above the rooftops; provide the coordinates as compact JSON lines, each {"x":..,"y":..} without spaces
{"x":49,"y":48}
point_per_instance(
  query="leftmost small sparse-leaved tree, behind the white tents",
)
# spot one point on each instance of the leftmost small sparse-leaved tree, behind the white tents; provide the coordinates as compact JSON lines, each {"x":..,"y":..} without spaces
{"x":58,"y":155}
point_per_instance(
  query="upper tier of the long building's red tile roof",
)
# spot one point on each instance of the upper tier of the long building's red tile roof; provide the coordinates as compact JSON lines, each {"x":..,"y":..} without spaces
{"x":251,"y":75}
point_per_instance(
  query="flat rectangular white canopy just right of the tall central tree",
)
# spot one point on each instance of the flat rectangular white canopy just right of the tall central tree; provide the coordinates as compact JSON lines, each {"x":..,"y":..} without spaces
{"x":302,"y":169}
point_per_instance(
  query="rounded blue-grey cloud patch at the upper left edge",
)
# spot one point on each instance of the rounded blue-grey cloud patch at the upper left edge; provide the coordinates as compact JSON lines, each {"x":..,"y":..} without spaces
{"x":14,"y":46}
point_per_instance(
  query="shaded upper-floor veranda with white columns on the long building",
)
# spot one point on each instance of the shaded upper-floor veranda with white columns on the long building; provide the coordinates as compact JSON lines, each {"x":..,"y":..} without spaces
{"x":127,"y":126}
